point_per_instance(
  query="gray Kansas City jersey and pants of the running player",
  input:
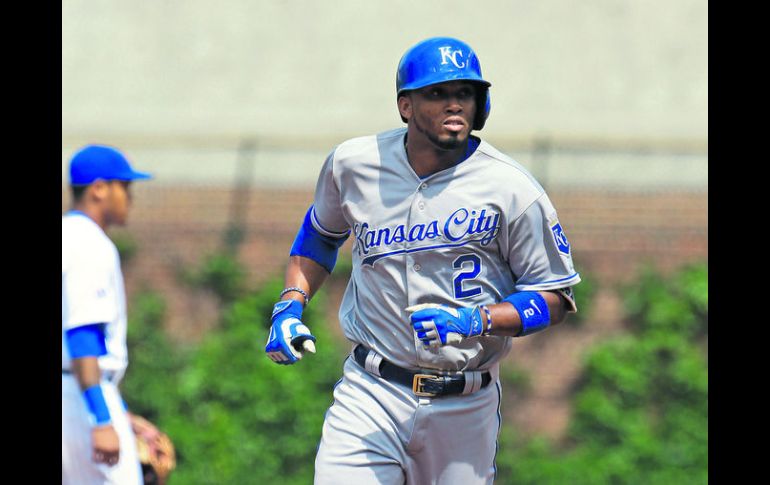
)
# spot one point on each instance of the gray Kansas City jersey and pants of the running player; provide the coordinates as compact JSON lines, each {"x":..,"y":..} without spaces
{"x":467,"y":235}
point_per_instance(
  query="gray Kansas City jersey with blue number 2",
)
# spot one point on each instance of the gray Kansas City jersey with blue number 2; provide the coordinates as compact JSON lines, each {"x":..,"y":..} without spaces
{"x":467,"y":235}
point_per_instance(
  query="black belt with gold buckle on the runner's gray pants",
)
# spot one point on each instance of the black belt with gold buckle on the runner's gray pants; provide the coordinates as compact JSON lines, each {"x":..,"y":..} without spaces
{"x":422,"y":384}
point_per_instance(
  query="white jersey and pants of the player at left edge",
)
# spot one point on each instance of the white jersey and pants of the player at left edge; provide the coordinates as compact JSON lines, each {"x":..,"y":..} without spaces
{"x":93,"y":292}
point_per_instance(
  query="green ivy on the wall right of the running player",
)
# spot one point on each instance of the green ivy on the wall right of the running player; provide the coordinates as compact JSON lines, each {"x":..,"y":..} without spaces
{"x":641,"y":410}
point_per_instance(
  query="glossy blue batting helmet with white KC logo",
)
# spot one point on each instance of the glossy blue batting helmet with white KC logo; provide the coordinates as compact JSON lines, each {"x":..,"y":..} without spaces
{"x":441,"y":59}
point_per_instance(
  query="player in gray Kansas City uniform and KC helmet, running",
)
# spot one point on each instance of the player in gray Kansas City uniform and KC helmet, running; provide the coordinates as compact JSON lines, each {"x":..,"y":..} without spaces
{"x":456,"y":249}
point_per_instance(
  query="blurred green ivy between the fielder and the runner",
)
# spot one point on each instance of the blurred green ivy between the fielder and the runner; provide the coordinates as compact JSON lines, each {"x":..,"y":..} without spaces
{"x":234,"y":415}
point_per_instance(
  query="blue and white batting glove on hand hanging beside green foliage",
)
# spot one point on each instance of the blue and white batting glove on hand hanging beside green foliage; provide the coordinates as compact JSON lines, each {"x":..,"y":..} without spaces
{"x":288,"y":335}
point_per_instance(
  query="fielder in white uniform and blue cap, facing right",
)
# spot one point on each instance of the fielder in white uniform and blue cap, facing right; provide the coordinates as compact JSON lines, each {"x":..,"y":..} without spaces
{"x":98,"y":440}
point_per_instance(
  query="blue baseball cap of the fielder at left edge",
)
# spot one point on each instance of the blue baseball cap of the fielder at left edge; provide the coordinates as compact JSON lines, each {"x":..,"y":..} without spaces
{"x":94,"y":162}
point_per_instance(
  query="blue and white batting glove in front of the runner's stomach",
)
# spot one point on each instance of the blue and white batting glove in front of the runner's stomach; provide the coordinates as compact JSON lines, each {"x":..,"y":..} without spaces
{"x":438,"y":325}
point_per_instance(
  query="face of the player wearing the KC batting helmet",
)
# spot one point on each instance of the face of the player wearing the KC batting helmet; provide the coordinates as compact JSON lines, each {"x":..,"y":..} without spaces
{"x":444,"y":113}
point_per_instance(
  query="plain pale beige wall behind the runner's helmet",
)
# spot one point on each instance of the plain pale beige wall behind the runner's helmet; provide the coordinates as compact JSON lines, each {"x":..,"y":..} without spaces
{"x":203,"y":70}
